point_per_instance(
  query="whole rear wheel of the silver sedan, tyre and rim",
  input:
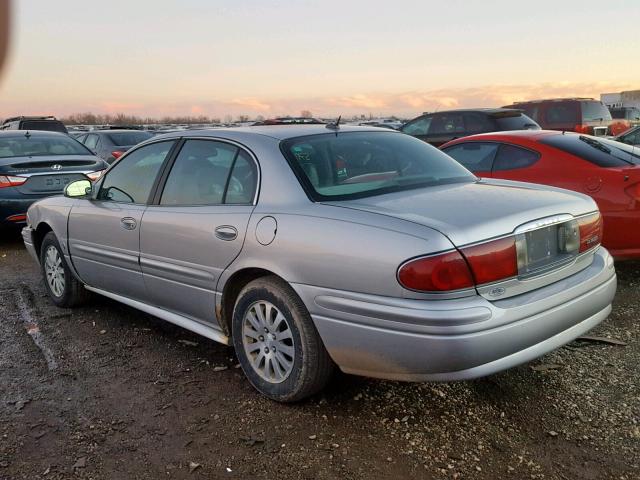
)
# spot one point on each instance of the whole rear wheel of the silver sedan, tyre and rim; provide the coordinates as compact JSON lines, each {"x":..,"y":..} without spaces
{"x":277,"y":344}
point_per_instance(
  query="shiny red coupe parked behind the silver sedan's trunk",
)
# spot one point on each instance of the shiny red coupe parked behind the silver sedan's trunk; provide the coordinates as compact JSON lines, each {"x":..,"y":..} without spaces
{"x":606,"y":170}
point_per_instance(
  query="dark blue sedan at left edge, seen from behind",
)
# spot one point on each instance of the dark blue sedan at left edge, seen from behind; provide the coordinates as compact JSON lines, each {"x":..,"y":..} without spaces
{"x":37,"y":164}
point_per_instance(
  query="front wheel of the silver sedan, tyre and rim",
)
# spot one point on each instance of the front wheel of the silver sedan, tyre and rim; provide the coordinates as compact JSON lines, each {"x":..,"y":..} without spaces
{"x":63,"y":288}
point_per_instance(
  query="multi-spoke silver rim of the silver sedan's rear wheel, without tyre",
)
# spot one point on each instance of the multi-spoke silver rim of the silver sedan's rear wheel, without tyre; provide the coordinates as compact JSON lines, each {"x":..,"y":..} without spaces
{"x":268,"y":342}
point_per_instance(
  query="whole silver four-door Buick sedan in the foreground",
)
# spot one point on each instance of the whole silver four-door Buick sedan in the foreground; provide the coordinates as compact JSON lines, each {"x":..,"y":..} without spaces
{"x":307,"y":247}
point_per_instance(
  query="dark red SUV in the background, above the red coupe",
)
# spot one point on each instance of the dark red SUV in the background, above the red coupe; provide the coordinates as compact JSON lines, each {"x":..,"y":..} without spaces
{"x":581,"y":115}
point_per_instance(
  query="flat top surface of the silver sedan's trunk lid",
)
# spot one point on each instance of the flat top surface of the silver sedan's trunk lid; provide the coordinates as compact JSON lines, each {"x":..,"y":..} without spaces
{"x":476,"y":211}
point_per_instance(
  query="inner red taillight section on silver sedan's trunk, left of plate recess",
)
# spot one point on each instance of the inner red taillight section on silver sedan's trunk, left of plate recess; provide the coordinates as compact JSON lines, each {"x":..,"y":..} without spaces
{"x":492,"y":261}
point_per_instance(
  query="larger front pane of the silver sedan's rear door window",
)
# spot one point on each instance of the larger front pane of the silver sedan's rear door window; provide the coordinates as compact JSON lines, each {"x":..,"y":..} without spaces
{"x":199,"y":174}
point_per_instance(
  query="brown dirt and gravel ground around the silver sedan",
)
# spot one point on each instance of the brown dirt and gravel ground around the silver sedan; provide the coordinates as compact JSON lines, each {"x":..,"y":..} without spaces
{"x":107,"y":392}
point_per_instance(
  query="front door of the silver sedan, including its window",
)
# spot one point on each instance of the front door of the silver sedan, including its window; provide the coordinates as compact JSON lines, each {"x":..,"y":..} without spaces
{"x":104,"y":234}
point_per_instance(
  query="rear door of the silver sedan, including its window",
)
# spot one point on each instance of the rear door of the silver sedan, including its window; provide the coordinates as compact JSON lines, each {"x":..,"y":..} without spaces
{"x":196,"y":225}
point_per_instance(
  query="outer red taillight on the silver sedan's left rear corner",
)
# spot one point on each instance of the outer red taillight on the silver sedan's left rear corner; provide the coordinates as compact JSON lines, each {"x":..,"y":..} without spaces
{"x":437,"y":273}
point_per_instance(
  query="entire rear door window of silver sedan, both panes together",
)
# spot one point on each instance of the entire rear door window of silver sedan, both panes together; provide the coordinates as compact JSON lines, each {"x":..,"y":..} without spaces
{"x":201,"y":175}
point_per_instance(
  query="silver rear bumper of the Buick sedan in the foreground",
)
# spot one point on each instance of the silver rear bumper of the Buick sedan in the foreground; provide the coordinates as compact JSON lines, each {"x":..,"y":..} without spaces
{"x":442,"y":340}
